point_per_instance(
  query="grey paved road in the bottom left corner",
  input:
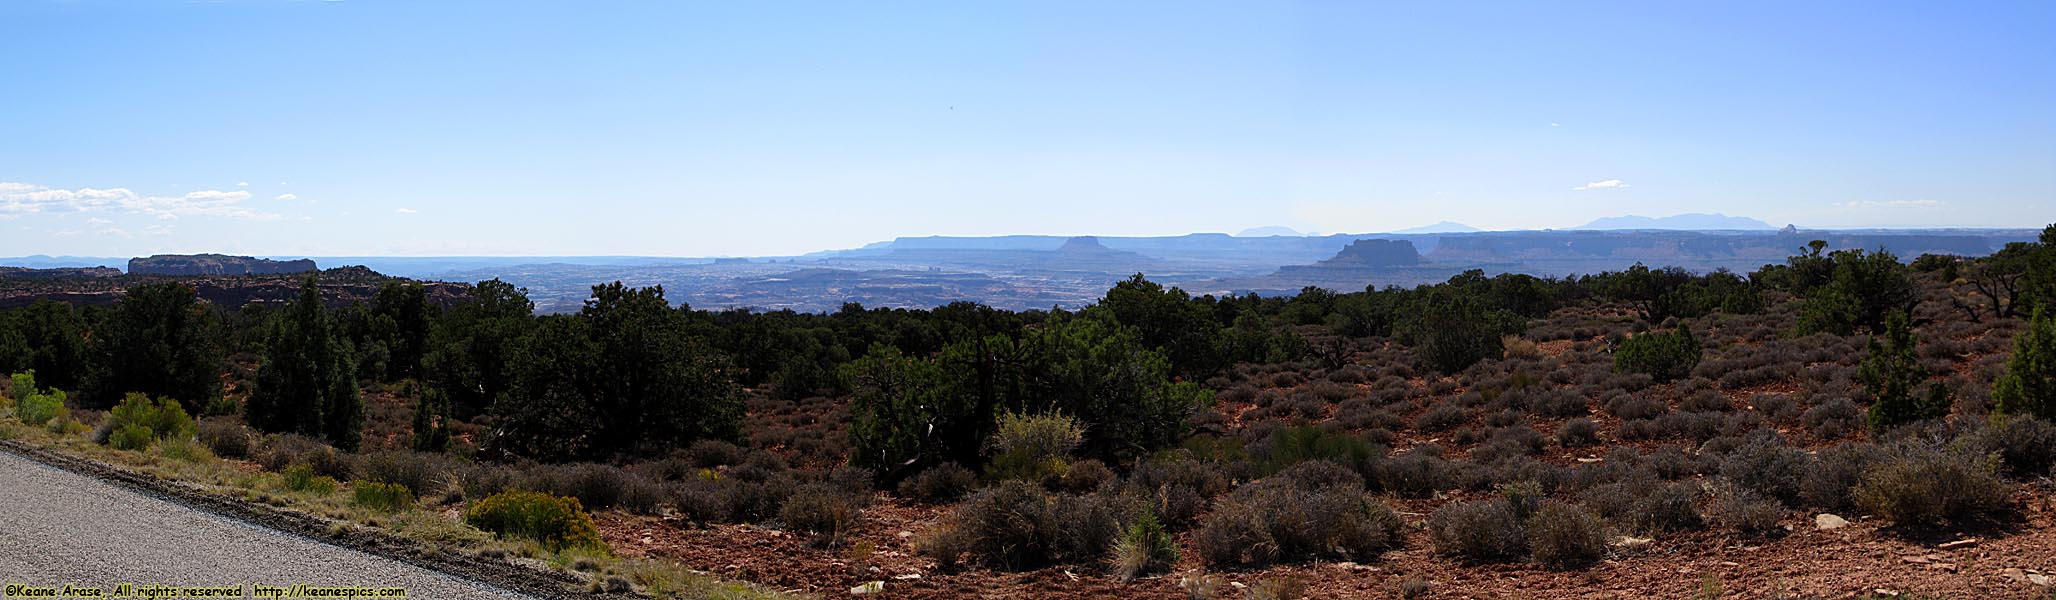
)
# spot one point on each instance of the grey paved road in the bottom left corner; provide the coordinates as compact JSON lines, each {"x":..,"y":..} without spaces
{"x":59,"y":527}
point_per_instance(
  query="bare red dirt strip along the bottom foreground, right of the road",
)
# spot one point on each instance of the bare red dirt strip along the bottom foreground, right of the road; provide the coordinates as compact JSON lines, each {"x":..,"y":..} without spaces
{"x":2002,"y":562}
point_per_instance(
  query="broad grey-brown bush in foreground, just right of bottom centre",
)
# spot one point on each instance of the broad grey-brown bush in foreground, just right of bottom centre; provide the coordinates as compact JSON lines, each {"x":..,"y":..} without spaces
{"x":1309,"y":511}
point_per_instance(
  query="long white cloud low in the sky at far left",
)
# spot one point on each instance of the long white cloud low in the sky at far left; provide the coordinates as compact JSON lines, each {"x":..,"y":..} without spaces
{"x":26,"y":198}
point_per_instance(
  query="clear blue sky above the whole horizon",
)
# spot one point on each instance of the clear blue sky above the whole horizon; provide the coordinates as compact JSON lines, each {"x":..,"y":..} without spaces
{"x":768,"y":128}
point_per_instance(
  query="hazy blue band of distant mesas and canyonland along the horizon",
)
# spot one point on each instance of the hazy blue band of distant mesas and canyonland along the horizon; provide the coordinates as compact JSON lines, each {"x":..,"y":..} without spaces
{"x":1041,"y":272}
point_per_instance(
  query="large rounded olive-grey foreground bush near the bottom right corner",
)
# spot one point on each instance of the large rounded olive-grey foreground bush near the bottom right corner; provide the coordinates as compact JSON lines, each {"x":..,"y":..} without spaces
{"x":1927,"y":486}
